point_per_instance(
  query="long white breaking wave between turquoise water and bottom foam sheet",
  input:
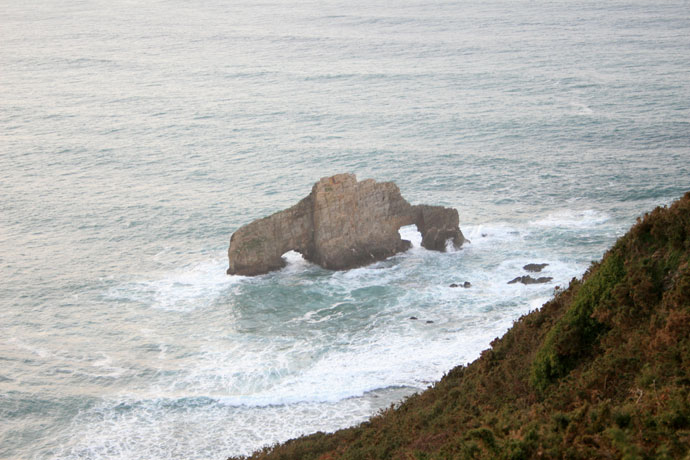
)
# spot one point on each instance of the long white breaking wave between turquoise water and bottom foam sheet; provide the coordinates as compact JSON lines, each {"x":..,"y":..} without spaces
{"x":284,"y":372}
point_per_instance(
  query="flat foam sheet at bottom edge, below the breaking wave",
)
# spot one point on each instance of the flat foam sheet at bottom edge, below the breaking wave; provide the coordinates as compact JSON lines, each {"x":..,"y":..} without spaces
{"x":195,"y":429}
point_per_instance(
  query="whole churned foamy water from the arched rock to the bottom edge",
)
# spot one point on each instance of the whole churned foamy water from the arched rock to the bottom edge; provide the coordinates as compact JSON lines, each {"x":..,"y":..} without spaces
{"x":310,"y":367}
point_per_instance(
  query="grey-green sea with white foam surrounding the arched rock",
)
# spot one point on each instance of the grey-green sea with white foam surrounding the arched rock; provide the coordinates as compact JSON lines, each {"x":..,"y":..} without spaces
{"x":135,"y":137}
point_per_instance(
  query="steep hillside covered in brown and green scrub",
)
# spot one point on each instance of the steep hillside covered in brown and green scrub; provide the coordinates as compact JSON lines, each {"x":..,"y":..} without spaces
{"x":600,"y":371}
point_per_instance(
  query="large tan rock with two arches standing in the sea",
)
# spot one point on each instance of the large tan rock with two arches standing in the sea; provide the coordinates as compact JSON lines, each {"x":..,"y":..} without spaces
{"x":341,"y":224}
